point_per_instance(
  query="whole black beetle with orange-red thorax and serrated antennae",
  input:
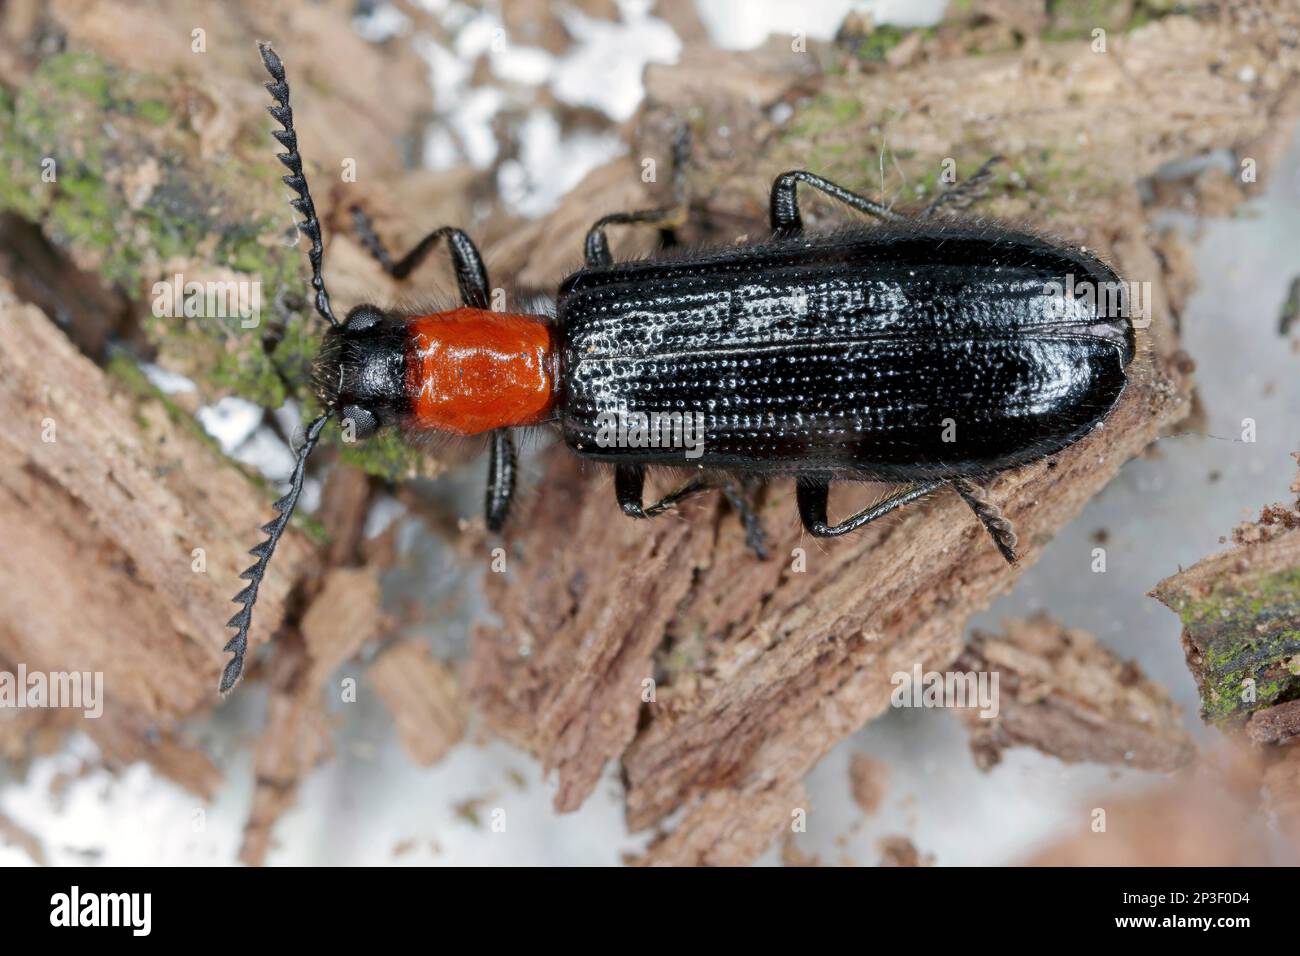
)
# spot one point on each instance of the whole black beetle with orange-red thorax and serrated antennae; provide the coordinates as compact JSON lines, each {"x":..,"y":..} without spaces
{"x":920,"y":352}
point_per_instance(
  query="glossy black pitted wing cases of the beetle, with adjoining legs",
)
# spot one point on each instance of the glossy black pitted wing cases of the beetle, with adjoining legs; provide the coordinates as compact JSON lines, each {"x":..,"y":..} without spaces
{"x":920,"y":352}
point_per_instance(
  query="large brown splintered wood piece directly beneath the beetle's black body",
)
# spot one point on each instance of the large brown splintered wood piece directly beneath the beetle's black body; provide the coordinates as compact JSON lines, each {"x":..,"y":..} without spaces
{"x":759,"y":669}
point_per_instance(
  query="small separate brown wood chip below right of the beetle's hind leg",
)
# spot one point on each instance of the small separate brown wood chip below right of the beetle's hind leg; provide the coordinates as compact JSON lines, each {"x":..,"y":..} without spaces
{"x":1063,"y":693}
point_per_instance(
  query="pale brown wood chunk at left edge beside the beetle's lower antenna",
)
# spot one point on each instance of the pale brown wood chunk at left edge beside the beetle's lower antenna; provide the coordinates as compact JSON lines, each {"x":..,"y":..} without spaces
{"x":123,"y":534}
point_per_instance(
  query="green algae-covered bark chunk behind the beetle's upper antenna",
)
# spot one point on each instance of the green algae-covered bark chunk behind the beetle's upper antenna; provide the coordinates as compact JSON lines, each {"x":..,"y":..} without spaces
{"x":107,"y":163}
